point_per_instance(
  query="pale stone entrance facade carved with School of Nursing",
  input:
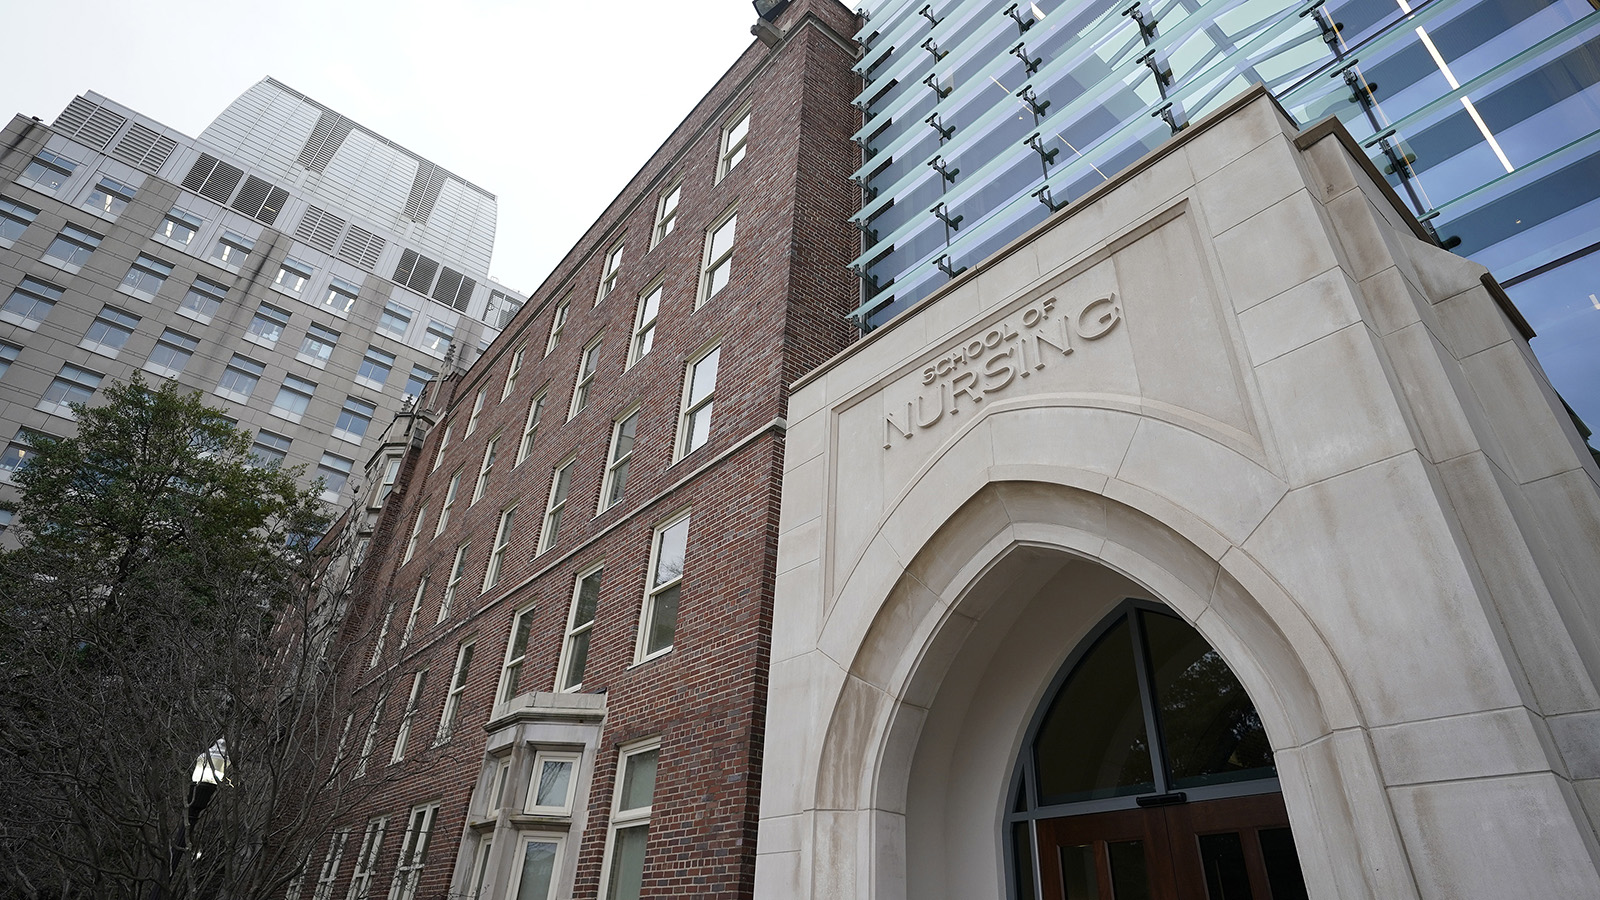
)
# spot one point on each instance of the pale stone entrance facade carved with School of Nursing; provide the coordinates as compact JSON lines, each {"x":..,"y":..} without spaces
{"x":1238,"y":382}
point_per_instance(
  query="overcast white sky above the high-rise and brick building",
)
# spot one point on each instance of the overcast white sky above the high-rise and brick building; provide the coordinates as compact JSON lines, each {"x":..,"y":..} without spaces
{"x":550,"y":106}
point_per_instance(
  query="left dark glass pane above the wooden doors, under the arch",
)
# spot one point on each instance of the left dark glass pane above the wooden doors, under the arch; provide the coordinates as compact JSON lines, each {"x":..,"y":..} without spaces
{"x":1092,"y":742}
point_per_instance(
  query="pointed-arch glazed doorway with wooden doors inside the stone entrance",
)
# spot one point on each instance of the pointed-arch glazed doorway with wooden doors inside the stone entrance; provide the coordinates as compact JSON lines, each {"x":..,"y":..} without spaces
{"x":1146,"y":776}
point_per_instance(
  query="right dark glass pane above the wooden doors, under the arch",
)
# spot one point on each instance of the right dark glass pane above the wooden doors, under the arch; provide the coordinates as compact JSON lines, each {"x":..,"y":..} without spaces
{"x":1210,"y":728}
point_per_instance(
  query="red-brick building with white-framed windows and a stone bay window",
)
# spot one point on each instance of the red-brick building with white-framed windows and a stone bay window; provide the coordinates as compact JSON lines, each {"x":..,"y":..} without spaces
{"x":569,"y":589}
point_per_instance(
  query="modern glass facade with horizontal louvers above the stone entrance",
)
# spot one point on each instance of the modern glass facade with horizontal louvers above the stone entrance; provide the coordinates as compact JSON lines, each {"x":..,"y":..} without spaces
{"x":983,"y":116}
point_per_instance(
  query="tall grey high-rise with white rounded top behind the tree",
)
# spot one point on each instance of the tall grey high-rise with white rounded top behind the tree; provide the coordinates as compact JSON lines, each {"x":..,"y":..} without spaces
{"x":297,"y":268}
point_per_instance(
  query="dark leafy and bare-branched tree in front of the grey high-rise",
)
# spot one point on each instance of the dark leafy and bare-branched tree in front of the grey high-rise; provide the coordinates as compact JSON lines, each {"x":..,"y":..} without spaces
{"x":164,"y":603}
